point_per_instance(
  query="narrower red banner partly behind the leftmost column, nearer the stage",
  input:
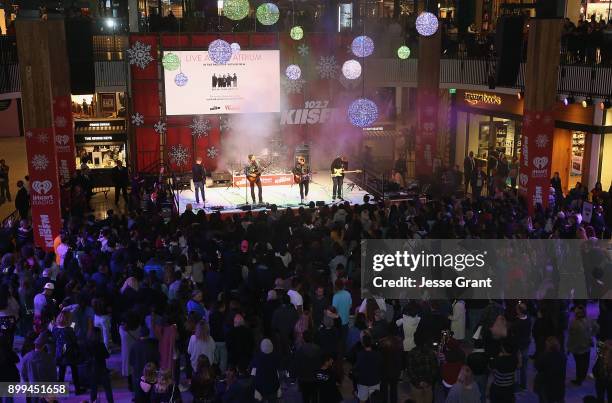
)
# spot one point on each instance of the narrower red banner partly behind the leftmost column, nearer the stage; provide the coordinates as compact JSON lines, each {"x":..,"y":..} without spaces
{"x":64,"y":138}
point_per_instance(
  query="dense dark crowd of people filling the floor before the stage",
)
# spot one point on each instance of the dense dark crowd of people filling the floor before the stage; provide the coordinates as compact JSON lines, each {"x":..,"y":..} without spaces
{"x":231,"y":308}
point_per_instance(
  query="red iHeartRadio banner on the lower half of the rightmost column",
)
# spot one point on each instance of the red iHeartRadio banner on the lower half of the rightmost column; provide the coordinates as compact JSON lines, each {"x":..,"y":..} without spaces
{"x":536,"y":157}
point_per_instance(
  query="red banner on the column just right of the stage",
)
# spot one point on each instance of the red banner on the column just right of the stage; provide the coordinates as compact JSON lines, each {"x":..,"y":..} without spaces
{"x":425,"y":142}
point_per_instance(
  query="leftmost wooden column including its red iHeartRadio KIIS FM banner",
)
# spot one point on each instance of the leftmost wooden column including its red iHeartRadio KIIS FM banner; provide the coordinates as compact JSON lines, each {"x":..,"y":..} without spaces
{"x":34,"y":64}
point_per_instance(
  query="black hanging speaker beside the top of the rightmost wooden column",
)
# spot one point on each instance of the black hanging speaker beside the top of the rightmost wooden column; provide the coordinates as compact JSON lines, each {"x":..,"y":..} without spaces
{"x":509,"y":48}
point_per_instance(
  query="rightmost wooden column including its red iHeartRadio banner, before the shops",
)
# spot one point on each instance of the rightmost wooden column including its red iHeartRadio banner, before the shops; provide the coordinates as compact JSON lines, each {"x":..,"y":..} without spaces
{"x":538,"y":120}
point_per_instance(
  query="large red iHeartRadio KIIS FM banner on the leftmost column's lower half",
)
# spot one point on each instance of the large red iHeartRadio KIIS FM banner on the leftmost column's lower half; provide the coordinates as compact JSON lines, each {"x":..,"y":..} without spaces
{"x":45,"y":190}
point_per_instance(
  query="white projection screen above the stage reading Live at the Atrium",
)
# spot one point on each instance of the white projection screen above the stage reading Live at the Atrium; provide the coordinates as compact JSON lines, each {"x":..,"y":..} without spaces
{"x":248,"y":83}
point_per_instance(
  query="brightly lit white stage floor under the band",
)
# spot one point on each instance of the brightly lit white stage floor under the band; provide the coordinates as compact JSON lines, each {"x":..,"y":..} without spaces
{"x":229,"y":199}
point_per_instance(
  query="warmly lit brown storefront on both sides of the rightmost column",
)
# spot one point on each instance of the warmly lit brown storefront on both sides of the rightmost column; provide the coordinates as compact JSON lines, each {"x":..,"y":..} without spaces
{"x":492,"y":123}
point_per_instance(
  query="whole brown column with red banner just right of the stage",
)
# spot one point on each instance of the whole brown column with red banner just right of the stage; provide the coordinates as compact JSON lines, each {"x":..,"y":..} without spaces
{"x":428,"y":86}
